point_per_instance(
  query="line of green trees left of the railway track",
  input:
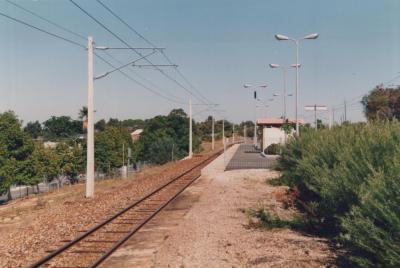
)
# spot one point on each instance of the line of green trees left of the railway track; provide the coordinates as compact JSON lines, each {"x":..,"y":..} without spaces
{"x":27,"y":157}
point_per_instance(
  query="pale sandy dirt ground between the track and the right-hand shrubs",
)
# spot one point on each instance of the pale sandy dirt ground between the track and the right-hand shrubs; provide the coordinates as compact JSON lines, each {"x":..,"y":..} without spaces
{"x":206,"y":227}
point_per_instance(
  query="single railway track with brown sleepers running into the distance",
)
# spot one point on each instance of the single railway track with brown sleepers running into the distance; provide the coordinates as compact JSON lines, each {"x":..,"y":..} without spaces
{"x":95,"y":245}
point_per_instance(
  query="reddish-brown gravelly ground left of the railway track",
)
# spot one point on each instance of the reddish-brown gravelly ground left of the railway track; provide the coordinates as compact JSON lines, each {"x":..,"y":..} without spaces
{"x":31,"y":226}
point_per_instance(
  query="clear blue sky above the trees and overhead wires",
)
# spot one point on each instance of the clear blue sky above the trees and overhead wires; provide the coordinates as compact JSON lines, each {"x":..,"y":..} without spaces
{"x":218,"y":45}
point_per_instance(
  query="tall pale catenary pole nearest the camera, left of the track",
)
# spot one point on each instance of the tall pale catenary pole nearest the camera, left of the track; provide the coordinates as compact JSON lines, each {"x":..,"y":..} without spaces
{"x":89,"y":193}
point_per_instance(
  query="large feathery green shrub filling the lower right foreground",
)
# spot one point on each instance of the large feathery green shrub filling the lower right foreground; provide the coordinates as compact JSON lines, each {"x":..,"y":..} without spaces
{"x":349,"y":187}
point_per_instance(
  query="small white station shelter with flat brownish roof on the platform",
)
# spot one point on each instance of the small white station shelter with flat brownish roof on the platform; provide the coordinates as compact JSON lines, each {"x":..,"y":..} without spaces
{"x":272,"y":131}
